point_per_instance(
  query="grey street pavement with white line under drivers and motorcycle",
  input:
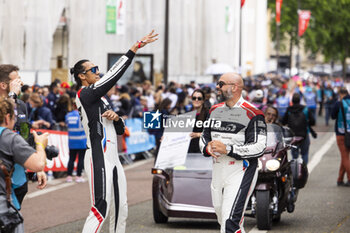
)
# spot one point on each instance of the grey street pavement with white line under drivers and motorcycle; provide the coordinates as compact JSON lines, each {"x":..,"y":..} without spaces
{"x":321,"y":205}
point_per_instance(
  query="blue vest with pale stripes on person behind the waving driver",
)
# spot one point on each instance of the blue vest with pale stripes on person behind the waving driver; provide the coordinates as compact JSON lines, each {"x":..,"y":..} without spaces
{"x":76,"y":134}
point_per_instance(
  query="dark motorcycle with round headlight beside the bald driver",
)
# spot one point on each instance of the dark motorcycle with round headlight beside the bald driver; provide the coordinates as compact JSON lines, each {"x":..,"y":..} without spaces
{"x":279,"y":179}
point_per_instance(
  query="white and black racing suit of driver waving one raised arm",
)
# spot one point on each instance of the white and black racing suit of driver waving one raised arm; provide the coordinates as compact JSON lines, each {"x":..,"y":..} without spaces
{"x":104,"y":171}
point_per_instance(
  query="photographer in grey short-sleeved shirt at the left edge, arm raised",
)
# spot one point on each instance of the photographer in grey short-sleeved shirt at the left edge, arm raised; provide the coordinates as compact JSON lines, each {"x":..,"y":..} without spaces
{"x":14,"y":149}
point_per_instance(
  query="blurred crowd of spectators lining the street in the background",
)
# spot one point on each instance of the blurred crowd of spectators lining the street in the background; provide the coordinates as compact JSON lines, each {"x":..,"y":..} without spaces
{"x":48,"y":105}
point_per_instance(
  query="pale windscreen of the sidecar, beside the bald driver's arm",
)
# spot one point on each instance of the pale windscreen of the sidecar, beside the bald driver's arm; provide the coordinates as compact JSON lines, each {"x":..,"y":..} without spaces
{"x":197,"y":162}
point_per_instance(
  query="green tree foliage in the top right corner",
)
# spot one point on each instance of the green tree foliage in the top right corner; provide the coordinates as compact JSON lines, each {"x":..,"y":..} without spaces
{"x":328,"y":32}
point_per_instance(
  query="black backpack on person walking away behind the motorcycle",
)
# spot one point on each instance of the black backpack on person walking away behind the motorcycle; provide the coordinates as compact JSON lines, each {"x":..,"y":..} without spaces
{"x":297,"y":122}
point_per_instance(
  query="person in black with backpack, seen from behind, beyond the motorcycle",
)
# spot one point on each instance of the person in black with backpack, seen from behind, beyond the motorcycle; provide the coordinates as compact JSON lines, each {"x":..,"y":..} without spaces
{"x":299,"y":119}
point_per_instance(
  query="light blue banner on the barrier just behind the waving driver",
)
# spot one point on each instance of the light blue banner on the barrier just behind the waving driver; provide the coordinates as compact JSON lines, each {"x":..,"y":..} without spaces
{"x":139,"y":140}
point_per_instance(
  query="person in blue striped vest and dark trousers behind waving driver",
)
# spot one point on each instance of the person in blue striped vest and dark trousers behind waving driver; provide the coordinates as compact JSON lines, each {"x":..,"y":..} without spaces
{"x":76,"y":143}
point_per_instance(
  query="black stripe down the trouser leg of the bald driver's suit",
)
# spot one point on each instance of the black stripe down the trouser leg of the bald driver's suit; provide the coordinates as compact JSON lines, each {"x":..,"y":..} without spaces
{"x":232,"y":224}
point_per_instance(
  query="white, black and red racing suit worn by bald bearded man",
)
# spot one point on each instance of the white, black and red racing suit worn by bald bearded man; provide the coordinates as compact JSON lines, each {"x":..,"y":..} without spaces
{"x":234,"y":175}
